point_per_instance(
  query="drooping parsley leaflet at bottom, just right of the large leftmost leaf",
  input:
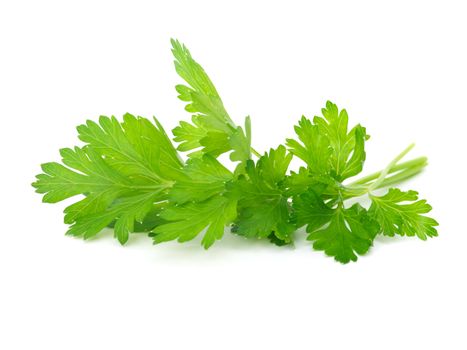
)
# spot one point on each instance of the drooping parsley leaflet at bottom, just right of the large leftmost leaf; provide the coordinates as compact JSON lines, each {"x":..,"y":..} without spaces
{"x":188,"y":220}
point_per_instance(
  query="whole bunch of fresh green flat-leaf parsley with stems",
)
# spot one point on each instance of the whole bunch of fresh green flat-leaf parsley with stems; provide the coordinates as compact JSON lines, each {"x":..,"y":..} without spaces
{"x":130,"y":177}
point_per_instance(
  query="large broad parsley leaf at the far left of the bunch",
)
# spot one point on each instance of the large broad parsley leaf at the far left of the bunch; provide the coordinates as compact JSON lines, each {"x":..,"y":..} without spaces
{"x":123,"y":169}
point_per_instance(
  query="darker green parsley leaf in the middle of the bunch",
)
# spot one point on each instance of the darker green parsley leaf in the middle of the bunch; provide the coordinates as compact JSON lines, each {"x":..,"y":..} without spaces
{"x":263,"y":205}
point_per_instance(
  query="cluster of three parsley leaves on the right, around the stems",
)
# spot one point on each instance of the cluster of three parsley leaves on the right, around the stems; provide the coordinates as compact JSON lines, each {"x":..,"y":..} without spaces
{"x":332,"y":154}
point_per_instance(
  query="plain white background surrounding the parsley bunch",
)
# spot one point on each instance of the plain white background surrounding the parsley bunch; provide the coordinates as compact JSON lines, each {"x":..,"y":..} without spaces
{"x":399,"y":68}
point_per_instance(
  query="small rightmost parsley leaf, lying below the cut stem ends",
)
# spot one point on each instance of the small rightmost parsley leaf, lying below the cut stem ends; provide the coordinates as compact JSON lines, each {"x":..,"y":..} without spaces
{"x":401,"y":212}
